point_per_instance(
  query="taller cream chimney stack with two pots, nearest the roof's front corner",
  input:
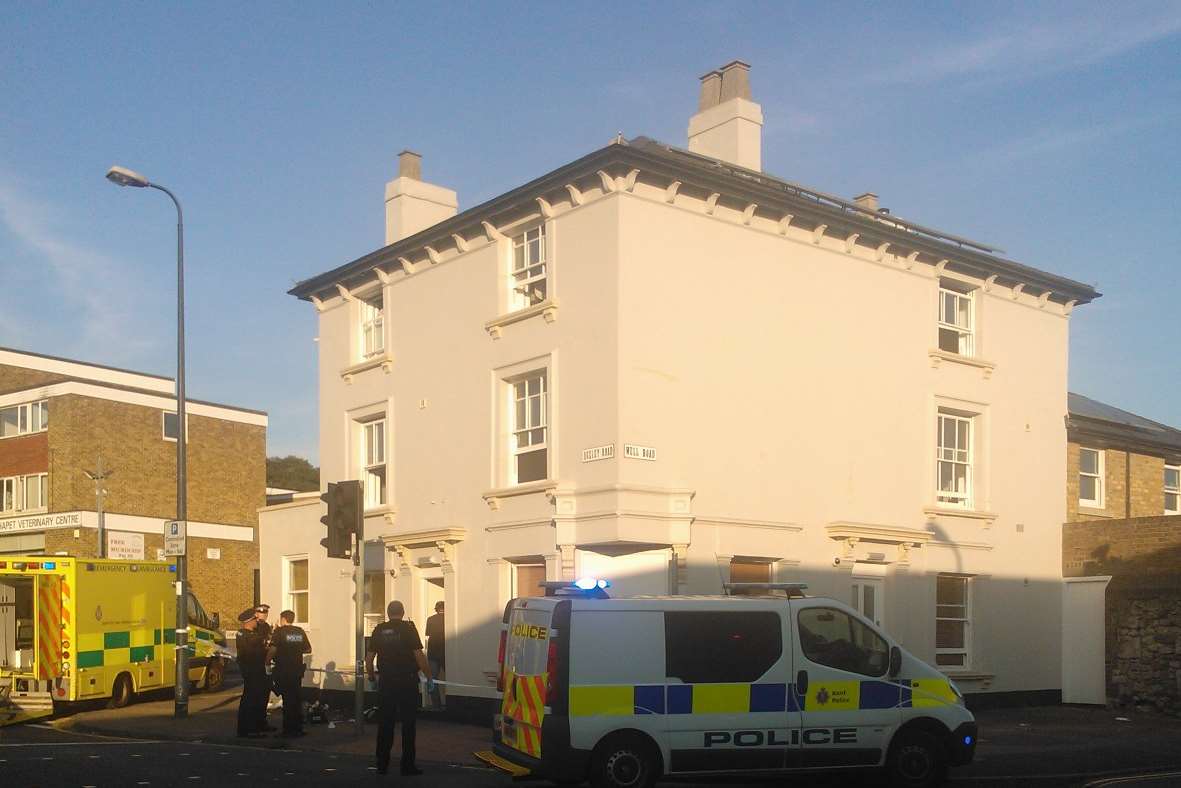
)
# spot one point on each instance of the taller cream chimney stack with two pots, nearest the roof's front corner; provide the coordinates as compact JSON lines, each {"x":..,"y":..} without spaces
{"x":728,"y":126}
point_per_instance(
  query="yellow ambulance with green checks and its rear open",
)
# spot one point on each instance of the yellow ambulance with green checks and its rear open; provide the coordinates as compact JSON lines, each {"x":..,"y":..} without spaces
{"x":79,"y":629}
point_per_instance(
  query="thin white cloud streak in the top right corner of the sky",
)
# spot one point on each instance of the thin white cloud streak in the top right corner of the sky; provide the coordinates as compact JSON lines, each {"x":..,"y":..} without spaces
{"x":1021,"y":50}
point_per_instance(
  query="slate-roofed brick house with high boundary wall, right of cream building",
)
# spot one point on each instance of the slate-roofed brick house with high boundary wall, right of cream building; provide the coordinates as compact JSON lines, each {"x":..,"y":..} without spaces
{"x":1125,"y":524}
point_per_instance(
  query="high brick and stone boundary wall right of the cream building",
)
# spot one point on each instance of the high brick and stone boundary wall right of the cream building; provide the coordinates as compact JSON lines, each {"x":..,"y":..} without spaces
{"x":1144,"y":603}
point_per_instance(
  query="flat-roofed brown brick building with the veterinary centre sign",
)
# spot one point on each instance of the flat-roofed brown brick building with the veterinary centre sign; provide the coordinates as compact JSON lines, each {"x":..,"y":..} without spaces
{"x":60,"y":418}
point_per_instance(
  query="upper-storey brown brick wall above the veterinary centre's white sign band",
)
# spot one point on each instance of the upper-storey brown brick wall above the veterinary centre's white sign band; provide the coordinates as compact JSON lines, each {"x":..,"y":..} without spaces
{"x":227,"y":467}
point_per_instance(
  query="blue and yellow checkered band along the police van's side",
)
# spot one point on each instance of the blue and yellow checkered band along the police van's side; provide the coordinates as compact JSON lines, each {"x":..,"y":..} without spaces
{"x":627,"y":700}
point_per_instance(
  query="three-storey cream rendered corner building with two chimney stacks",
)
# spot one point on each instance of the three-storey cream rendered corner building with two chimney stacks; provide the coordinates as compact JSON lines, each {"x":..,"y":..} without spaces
{"x":670,"y":369}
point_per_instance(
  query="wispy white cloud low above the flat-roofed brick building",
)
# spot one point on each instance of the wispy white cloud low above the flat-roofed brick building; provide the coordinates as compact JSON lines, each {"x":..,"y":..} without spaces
{"x":95,"y":285}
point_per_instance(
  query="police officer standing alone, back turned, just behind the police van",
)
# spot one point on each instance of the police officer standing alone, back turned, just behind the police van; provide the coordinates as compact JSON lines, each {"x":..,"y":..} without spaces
{"x":400,"y":657}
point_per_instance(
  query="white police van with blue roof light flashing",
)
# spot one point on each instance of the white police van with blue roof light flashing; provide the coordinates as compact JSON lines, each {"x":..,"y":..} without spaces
{"x":624,"y":692}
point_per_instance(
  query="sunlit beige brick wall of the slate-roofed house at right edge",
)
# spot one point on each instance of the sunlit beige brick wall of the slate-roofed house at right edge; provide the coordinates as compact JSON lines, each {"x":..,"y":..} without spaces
{"x":1145,"y":484}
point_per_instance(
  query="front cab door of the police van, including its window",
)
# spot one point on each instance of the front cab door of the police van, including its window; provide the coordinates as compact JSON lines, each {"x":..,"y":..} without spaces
{"x":851,"y":706}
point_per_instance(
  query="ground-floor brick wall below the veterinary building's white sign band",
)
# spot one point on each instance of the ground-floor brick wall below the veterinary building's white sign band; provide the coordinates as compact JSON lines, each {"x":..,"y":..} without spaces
{"x":224,"y":587}
